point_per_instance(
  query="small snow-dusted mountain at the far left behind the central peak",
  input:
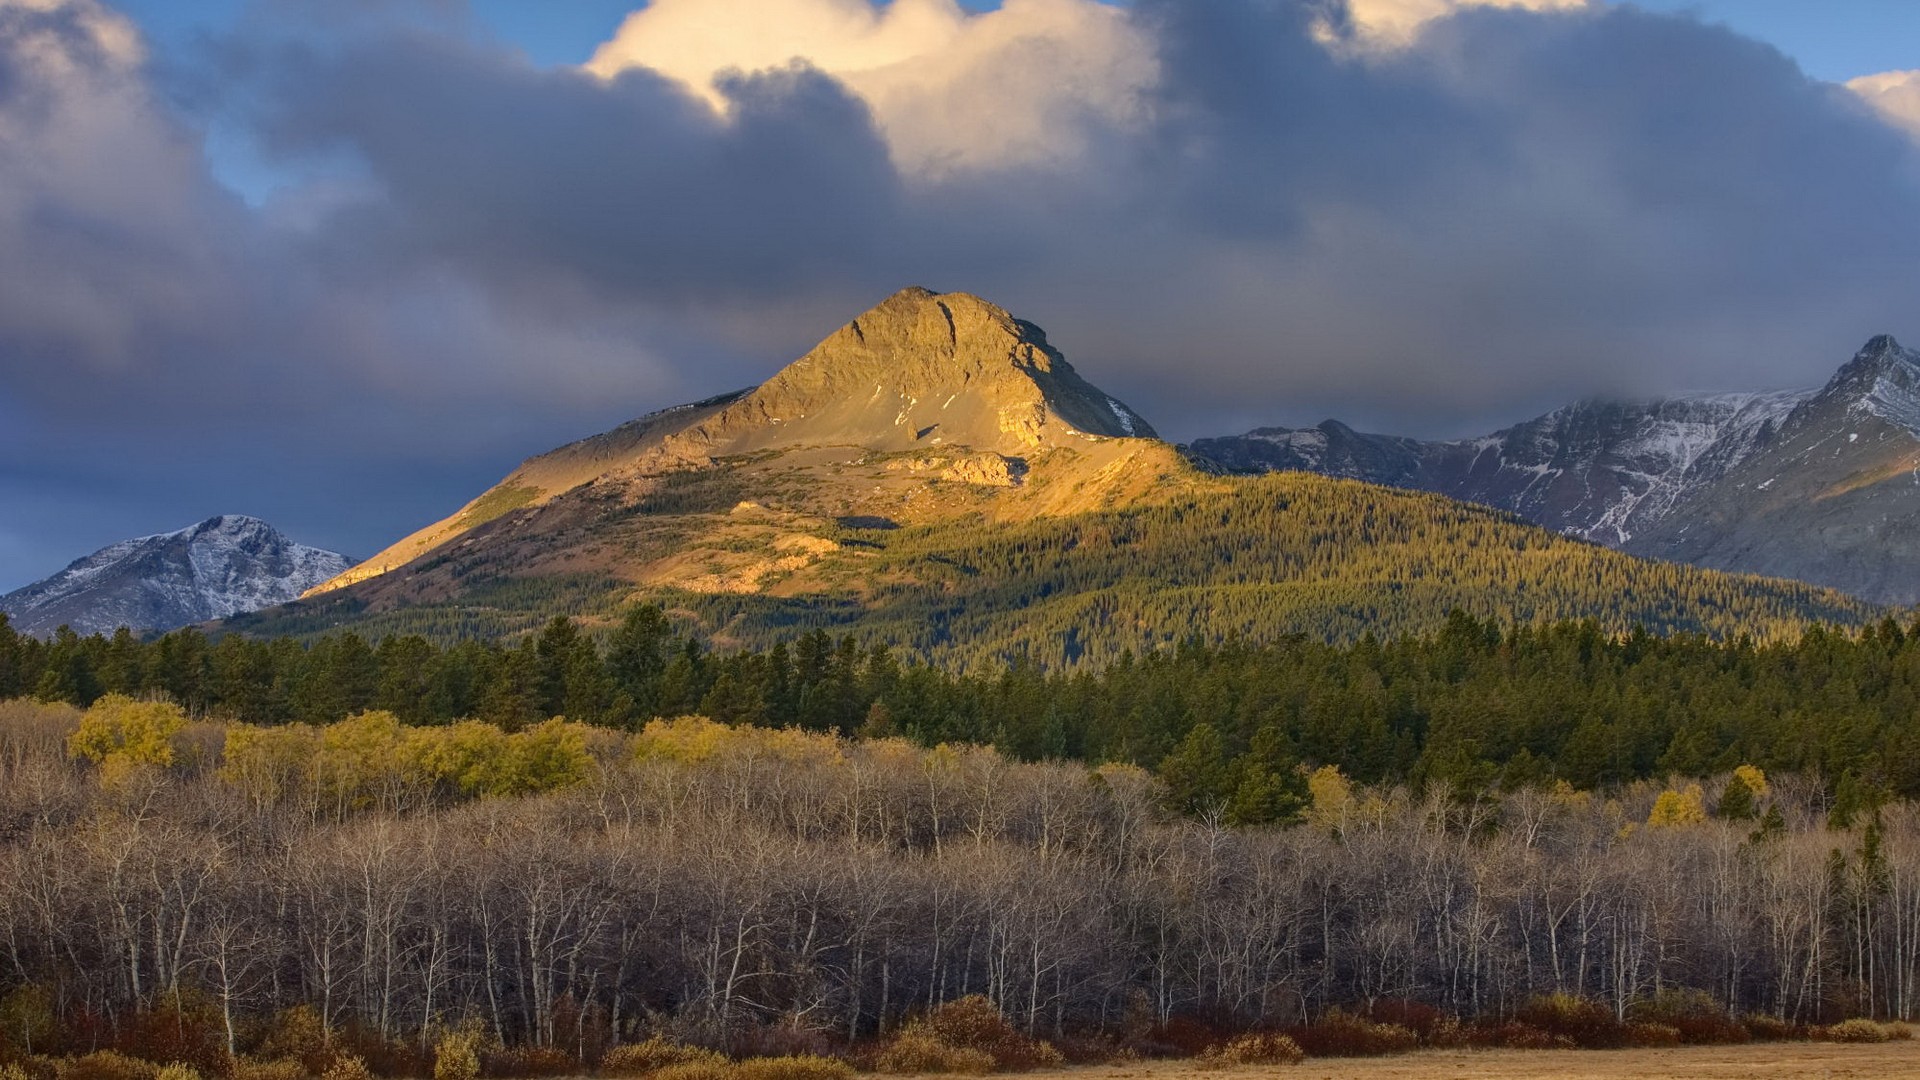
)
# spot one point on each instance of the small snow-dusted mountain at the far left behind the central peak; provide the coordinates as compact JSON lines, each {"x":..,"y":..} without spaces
{"x":220,"y":568}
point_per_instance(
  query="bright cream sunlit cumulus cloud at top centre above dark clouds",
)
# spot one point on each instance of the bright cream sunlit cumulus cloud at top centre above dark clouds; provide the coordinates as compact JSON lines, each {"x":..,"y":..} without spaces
{"x":949,"y":89}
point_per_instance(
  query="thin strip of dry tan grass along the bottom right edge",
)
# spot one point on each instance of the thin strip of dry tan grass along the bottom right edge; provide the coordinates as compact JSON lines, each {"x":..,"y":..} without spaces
{"x":1827,"y":1062}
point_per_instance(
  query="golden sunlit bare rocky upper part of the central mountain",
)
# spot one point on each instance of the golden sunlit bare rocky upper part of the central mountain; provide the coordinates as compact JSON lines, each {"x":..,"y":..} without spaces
{"x":930,"y":406}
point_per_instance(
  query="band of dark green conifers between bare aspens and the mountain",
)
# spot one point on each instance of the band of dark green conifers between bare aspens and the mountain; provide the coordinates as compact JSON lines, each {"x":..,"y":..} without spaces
{"x":1470,"y":708}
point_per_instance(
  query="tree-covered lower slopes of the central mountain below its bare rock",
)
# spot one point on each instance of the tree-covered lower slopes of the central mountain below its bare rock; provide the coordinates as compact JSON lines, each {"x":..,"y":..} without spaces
{"x":1257,"y":560}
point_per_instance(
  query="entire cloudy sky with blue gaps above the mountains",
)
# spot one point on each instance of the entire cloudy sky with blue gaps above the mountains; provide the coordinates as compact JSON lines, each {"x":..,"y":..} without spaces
{"x":341,"y":264}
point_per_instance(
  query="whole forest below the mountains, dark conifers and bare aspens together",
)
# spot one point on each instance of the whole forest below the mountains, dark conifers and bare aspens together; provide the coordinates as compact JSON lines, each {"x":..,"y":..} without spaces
{"x":583,"y":841}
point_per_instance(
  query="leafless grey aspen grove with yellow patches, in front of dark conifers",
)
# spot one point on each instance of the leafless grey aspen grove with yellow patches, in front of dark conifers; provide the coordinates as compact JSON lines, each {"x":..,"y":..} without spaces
{"x":229,"y":895}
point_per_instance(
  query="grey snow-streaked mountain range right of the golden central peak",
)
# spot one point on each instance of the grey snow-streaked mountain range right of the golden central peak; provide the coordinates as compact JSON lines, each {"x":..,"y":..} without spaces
{"x":1812,"y":485}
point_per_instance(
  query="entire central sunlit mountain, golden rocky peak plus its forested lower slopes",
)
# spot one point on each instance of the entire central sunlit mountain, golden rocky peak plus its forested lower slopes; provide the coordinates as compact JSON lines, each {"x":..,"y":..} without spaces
{"x":940,"y":478}
